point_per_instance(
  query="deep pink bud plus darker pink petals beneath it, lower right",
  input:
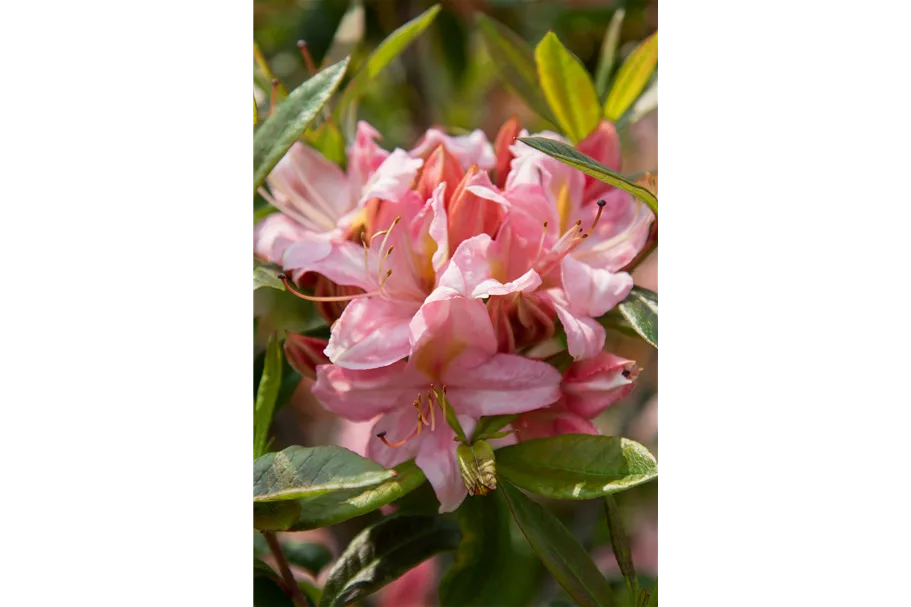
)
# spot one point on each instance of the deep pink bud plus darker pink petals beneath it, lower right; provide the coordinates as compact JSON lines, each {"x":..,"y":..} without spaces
{"x":588,"y":388}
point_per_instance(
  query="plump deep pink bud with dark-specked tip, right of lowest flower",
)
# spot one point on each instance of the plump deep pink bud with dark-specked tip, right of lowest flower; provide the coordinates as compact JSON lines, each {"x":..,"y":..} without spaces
{"x":592,"y":385}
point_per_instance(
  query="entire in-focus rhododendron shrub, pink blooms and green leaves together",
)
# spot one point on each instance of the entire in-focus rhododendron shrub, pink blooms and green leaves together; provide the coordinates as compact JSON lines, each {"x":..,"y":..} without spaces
{"x":466,"y":288}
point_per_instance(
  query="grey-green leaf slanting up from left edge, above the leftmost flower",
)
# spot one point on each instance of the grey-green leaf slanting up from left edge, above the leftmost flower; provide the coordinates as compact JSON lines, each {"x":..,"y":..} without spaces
{"x":280,"y":130}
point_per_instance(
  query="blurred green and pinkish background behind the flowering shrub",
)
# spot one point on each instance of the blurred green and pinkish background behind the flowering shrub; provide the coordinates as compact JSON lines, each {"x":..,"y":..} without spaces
{"x":446,"y":79}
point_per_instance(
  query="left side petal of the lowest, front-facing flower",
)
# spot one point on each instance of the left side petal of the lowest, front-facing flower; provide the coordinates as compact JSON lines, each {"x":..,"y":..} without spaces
{"x":360,"y":395}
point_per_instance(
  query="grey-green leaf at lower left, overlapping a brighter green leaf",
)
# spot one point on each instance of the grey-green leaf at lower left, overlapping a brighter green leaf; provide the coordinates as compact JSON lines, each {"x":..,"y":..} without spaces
{"x":298,"y":472}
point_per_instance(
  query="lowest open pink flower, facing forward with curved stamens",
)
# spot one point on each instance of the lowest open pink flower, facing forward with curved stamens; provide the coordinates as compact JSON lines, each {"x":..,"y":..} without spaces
{"x":453,"y":355}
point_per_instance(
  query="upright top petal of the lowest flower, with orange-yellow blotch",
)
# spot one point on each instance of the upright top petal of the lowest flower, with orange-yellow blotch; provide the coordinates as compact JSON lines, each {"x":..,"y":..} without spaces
{"x":450,"y":335}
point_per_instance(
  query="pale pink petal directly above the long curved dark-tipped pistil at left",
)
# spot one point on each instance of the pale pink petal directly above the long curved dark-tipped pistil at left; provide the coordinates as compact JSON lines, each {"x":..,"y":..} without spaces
{"x":340,"y":262}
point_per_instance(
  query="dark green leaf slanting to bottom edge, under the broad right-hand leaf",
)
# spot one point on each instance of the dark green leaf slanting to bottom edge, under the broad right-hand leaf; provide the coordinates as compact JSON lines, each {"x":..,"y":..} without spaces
{"x":560,"y":552}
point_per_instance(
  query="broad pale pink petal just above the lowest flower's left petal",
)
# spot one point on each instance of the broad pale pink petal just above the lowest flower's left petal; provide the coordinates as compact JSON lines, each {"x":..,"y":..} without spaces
{"x":371,"y":332}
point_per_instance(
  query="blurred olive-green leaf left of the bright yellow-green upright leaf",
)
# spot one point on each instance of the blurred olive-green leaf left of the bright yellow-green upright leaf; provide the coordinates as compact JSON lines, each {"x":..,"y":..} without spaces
{"x":514,"y":62}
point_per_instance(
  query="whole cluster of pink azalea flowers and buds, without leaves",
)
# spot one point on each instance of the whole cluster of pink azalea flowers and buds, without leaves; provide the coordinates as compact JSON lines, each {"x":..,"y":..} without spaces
{"x":439,"y":267}
